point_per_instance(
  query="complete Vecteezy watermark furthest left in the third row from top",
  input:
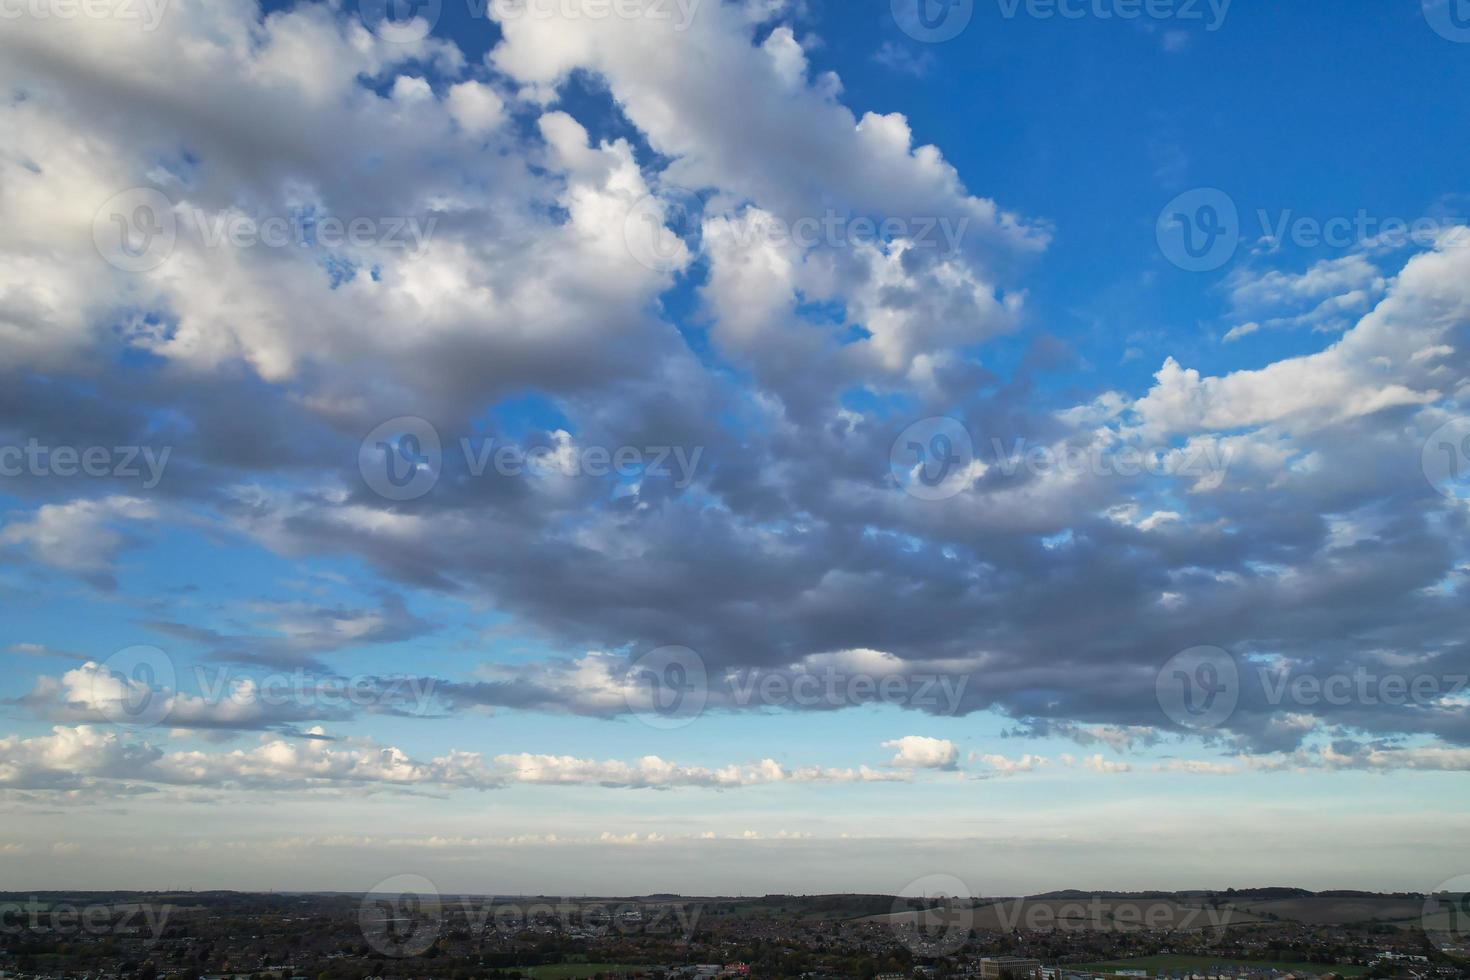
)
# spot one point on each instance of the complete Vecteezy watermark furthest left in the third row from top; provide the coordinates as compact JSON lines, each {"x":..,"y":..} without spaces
{"x":404,"y":459}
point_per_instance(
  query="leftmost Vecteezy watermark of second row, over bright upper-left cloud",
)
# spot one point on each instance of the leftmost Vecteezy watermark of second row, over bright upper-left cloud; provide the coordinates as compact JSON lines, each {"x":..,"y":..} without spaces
{"x":137,"y":230}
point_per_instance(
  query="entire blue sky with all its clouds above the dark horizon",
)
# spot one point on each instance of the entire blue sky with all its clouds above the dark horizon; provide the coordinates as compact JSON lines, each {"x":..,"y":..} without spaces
{"x":720,"y":347}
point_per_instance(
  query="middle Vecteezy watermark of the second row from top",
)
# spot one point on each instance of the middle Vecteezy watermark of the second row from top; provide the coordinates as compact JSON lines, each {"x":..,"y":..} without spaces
{"x":665,"y":231}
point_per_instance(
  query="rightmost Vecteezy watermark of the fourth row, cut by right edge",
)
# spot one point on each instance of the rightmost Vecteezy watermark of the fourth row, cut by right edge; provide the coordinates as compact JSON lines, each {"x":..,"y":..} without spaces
{"x":1200,"y":688}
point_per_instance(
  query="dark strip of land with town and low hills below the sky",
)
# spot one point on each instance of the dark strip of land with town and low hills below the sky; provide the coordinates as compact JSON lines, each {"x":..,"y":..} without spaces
{"x":1233,"y":935}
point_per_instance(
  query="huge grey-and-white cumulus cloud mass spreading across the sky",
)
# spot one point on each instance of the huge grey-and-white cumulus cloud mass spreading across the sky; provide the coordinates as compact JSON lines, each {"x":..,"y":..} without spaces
{"x":1055,"y":593}
